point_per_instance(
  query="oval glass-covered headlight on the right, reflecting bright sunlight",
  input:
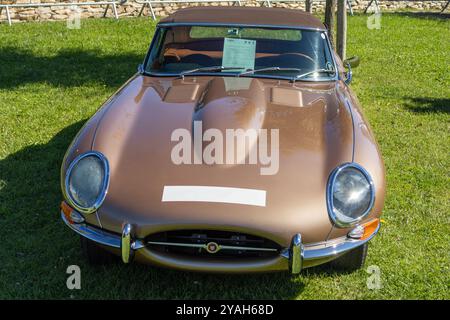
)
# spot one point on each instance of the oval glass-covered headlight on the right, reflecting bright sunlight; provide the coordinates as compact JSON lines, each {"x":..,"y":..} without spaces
{"x":350,"y":194}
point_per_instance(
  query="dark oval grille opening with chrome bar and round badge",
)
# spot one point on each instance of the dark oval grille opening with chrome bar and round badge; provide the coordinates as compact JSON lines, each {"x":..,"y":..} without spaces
{"x":212,"y":244}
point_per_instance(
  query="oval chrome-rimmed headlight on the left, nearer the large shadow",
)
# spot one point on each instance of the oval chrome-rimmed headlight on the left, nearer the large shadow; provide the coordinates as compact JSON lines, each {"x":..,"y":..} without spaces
{"x":87,"y":181}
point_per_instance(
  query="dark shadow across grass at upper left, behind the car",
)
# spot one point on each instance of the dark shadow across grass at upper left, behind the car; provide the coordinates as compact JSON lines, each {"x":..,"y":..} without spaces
{"x":67,"y":68}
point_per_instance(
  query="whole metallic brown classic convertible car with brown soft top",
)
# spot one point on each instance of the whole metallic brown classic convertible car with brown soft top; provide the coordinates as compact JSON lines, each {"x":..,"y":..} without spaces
{"x":237,"y":147}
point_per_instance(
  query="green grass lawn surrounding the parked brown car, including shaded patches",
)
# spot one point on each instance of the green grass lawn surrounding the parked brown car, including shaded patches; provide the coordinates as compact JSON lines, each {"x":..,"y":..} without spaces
{"x":53,"y":79}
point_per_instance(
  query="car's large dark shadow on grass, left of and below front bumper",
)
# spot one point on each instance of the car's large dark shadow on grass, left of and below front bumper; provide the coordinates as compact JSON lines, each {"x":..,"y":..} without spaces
{"x":35,"y":256}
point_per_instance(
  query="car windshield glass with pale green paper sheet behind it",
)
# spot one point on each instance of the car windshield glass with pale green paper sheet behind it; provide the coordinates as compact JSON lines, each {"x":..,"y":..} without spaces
{"x":241,"y":51}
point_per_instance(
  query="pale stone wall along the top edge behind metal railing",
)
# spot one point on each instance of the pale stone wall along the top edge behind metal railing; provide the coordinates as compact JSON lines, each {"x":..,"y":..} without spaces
{"x":131,"y":8}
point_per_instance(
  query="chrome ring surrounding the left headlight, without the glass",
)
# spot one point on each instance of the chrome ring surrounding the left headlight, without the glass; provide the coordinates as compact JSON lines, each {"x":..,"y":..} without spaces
{"x":104,"y":185}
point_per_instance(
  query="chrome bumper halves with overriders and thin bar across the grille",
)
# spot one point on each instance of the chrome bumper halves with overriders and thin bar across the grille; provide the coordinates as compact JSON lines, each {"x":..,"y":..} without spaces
{"x":298,"y":255}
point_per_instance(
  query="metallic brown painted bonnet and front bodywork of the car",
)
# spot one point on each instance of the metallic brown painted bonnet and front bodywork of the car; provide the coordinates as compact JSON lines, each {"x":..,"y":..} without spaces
{"x":317,"y":132}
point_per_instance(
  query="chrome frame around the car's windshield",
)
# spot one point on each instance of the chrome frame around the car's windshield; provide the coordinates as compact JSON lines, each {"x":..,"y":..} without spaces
{"x":160,"y":26}
